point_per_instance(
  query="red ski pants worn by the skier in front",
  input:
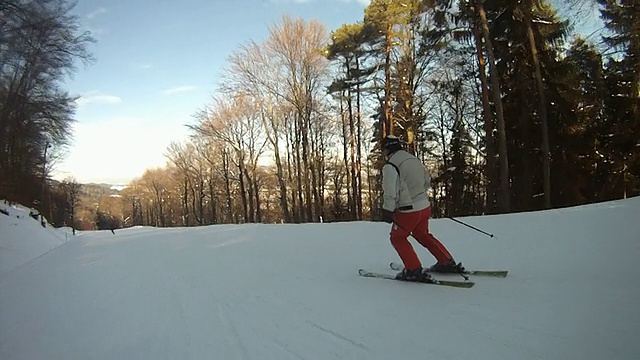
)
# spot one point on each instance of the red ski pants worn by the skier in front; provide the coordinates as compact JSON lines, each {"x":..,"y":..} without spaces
{"x":417,"y":224}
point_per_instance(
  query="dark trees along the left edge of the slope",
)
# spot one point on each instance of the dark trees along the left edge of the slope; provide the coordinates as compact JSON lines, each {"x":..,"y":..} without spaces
{"x":40,"y":44}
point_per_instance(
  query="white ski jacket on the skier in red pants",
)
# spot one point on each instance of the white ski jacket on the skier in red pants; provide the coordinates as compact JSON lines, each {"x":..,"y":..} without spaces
{"x":405,"y":182}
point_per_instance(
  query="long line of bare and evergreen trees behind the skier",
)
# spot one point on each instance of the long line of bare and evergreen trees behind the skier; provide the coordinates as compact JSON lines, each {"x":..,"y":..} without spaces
{"x":509,"y":110}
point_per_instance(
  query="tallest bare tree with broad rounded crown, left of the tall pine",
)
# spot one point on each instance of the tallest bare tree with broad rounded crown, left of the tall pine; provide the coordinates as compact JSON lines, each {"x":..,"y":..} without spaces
{"x":288,"y":69}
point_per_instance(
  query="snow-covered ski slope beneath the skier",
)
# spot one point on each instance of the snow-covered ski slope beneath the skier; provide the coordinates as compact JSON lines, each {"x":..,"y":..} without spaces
{"x":292,"y":291}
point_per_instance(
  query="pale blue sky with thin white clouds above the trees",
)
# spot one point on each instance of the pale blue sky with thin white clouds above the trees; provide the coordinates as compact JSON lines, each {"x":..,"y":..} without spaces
{"x":157,"y":63}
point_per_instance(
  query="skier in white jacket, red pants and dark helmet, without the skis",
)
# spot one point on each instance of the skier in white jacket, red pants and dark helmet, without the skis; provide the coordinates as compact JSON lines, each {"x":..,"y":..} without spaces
{"x":405,"y":182}
